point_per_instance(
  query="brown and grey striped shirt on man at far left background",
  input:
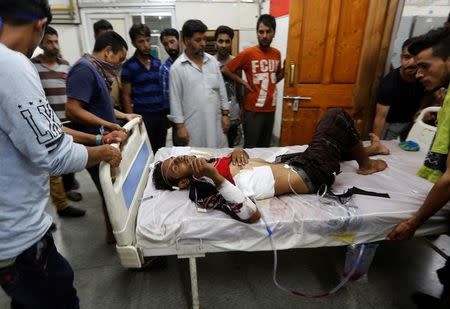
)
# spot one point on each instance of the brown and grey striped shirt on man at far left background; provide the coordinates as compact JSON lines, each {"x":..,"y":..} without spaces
{"x":54,"y":83}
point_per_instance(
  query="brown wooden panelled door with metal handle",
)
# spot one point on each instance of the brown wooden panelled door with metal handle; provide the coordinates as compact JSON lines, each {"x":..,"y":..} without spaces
{"x":336,"y":51}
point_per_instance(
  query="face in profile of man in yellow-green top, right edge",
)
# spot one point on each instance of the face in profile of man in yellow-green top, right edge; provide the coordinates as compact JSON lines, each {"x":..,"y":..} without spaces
{"x":433,"y":72}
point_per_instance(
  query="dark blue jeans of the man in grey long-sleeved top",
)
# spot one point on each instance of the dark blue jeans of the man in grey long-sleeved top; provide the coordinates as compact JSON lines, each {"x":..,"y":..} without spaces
{"x":40,"y":278}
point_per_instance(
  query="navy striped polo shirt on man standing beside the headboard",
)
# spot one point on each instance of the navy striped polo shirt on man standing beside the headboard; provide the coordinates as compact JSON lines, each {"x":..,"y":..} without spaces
{"x":146,"y":91}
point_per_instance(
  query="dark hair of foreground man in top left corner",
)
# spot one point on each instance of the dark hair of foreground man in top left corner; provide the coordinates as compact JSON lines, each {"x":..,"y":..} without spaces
{"x":21,"y":12}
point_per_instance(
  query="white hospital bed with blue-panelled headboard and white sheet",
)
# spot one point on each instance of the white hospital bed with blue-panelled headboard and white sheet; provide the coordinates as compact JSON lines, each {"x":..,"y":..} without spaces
{"x":149,"y":222}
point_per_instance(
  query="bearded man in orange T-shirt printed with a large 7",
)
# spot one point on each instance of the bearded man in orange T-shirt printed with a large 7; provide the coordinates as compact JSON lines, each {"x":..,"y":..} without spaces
{"x":263,"y":70}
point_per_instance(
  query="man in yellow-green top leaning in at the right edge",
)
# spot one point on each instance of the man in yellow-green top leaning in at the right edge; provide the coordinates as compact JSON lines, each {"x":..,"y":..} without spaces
{"x":432,"y":53}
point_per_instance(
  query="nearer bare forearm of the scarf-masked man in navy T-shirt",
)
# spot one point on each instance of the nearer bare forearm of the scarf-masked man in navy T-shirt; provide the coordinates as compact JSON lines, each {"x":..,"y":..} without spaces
{"x":76,"y":113}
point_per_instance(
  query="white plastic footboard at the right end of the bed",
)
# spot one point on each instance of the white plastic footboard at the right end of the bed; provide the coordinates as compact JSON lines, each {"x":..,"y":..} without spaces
{"x":421,"y":132}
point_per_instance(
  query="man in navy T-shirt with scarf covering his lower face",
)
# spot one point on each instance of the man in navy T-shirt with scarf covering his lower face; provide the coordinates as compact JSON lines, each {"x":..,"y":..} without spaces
{"x":89,"y":103}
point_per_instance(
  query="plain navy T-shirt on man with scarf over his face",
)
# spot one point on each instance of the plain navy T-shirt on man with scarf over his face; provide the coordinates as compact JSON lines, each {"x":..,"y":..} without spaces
{"x":86,"y":84}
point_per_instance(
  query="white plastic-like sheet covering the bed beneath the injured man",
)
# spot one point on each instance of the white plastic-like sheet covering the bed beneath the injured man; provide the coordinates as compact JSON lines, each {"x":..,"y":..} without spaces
{"x":168,"y":218}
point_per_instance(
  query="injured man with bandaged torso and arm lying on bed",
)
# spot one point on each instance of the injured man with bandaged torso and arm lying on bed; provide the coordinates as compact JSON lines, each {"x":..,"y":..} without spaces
{"x":232,"y":183}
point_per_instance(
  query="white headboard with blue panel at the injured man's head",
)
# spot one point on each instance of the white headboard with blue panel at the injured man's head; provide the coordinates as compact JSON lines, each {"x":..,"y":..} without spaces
{"x":122,"y":188}
